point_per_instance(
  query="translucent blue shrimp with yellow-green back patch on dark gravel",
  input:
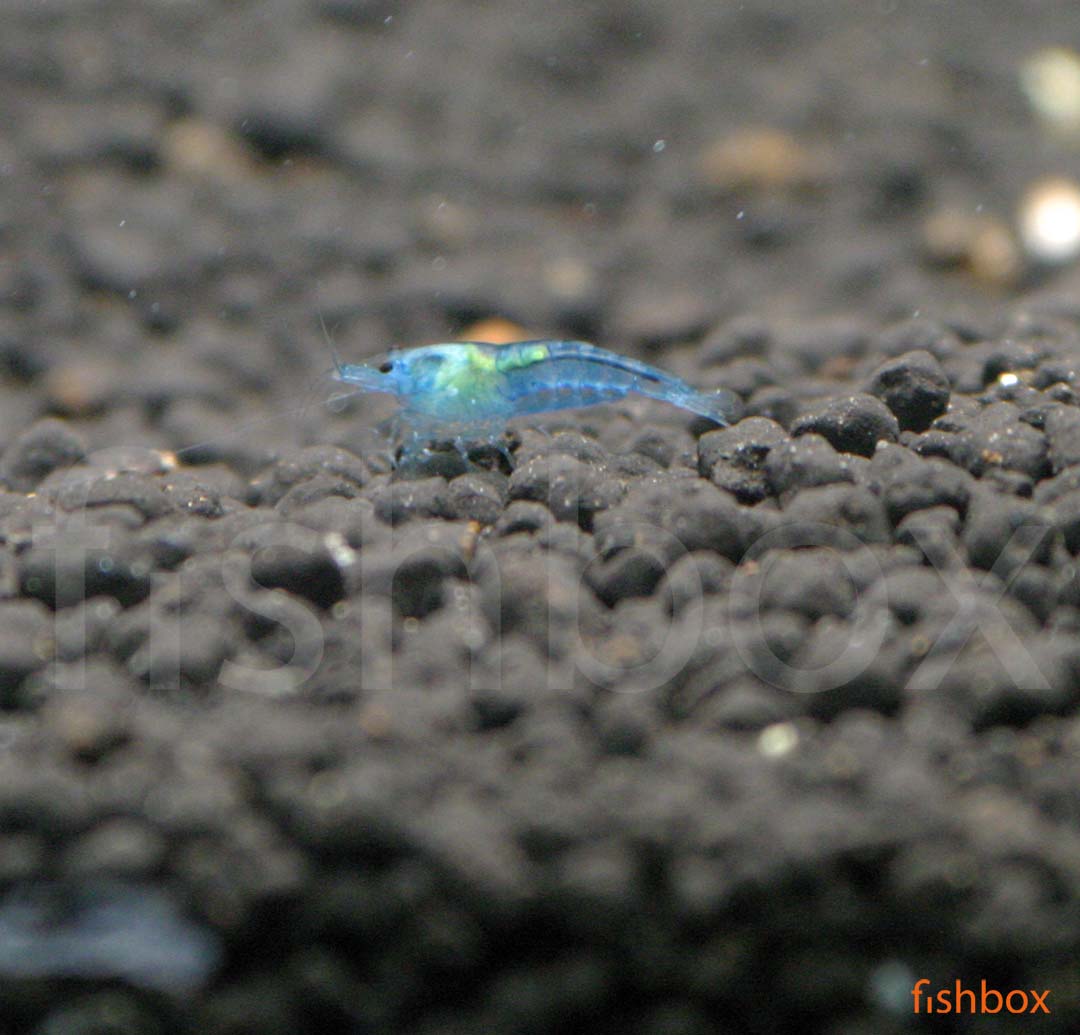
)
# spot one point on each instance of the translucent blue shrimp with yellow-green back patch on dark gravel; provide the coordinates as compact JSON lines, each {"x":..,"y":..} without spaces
{"x":471,"y":388}
